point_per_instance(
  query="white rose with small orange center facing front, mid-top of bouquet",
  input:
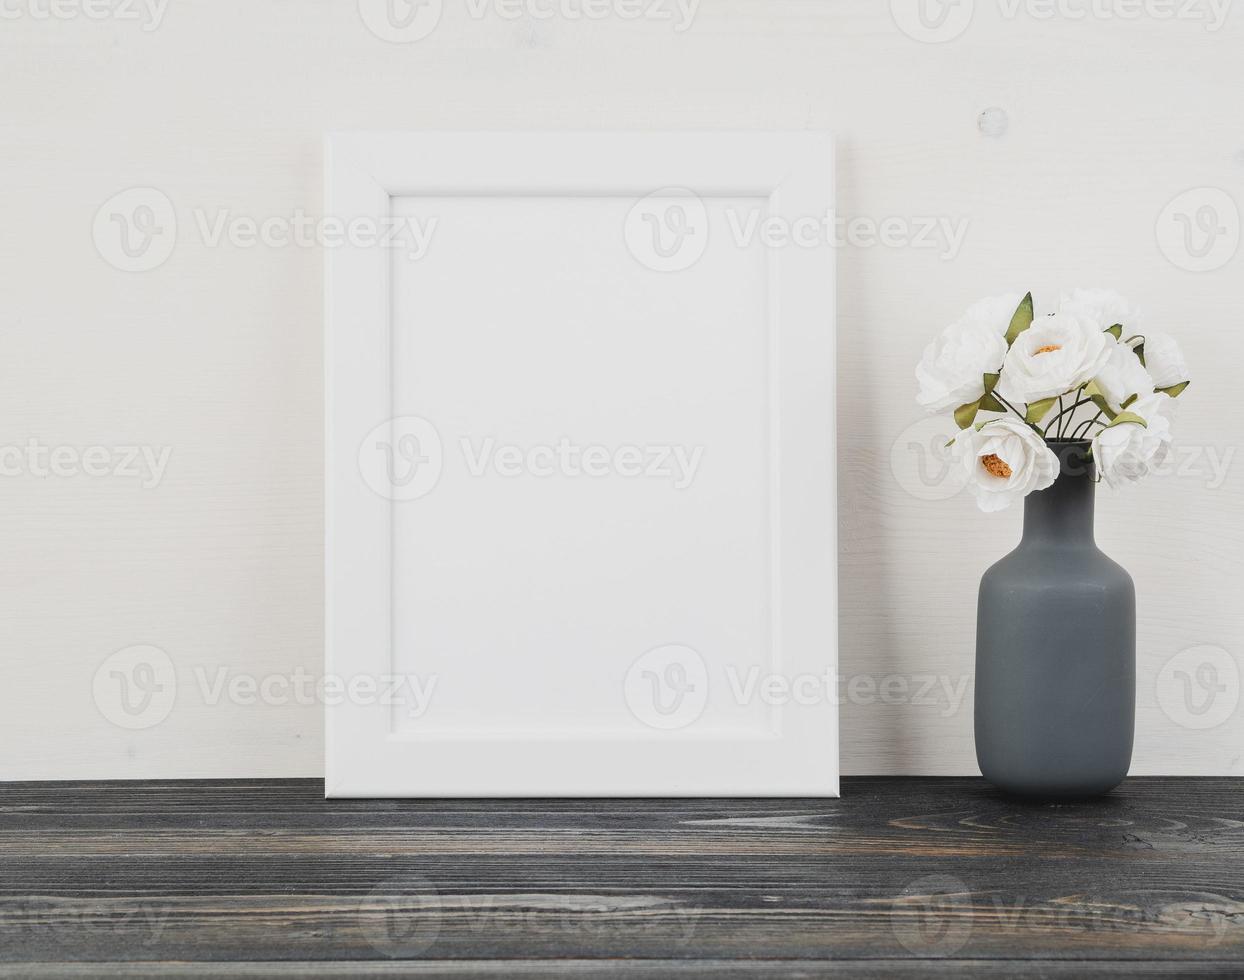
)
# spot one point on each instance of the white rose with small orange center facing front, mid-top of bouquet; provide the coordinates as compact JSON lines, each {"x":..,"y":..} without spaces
{"x":1056,"y":355}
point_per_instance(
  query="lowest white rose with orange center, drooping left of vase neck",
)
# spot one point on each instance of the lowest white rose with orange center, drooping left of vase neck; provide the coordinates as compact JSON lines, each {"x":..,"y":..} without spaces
{"x":1006,"y":461}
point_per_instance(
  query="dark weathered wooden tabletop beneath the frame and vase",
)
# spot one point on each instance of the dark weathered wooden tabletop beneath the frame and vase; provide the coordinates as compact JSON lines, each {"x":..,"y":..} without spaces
{"x":900,"y":877}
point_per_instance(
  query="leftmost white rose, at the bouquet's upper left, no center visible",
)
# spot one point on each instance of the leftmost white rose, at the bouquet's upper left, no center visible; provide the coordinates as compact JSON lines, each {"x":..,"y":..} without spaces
{"x":952,"y":371}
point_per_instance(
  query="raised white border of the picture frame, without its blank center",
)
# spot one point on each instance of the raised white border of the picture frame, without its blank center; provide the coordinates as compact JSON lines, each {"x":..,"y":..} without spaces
{"x":796,"y":171}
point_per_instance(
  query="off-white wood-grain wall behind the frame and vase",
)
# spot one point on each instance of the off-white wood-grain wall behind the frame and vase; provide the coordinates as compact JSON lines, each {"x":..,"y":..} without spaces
{"x":217,"y":354}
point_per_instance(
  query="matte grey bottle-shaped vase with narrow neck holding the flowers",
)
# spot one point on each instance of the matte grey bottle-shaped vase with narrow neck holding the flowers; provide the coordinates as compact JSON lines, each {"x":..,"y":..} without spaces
{"x":1057,"y":650}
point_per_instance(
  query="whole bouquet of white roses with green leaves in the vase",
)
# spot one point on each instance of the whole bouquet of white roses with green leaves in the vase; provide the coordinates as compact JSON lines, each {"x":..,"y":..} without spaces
{"x":1017,"y":382}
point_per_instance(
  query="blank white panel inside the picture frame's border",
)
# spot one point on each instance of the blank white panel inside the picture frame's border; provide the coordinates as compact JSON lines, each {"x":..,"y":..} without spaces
{"x":524,"y":583}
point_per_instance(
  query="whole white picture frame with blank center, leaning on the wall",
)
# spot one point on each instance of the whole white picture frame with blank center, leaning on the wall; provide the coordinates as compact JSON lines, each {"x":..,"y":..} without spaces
{"x":547,"y":300}
